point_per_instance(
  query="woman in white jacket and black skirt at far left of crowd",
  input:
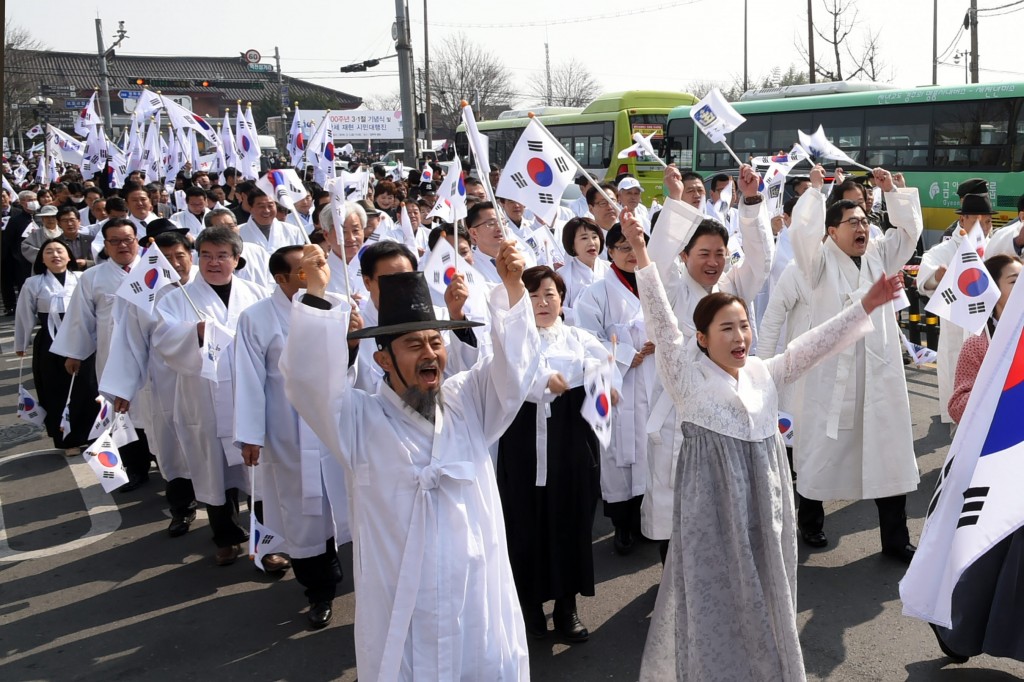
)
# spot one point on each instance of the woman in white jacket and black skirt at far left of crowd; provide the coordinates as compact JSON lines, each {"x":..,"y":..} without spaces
{"x":45,"y":297}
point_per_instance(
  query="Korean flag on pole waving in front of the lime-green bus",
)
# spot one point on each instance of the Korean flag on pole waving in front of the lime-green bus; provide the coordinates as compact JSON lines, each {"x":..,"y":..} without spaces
{"x":537,"y":174}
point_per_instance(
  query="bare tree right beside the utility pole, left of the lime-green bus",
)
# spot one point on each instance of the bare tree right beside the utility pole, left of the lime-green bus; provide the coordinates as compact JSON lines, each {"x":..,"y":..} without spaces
{"x":462,"y":70}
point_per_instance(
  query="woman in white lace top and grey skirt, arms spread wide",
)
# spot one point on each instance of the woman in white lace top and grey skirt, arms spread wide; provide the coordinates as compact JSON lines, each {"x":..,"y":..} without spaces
{"x":727,"y":607}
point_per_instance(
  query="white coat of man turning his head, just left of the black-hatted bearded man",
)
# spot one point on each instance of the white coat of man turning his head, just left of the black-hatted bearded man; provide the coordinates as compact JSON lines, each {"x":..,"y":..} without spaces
{"x":310,"y":483}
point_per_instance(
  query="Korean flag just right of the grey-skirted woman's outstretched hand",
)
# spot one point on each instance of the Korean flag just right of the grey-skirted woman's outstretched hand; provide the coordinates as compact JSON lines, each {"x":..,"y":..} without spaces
{"x":967,"y":295}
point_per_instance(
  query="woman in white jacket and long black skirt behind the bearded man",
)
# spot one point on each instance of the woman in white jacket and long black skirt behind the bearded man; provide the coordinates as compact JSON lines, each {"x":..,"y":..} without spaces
{"x":548,"y":470}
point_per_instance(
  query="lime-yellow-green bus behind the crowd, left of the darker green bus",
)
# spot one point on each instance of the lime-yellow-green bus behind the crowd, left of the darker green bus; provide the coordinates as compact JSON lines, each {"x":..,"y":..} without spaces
{"x":594,"y":136}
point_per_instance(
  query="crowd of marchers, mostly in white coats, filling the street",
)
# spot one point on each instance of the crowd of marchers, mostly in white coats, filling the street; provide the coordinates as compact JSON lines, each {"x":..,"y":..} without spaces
{"x":442,"y":430}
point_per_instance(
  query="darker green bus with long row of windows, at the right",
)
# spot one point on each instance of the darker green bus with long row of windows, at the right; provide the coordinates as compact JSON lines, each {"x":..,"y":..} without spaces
{"x":937,"y":137}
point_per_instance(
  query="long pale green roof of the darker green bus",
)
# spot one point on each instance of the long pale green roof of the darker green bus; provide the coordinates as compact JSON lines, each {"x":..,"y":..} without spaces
{"x":927,"y":95}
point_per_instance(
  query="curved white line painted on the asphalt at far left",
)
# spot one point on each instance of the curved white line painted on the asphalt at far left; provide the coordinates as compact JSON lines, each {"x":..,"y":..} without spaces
{"x":104,"y":514}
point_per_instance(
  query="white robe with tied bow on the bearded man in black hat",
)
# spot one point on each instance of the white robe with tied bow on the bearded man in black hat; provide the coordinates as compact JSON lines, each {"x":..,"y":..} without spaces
{"x":436,"y":598}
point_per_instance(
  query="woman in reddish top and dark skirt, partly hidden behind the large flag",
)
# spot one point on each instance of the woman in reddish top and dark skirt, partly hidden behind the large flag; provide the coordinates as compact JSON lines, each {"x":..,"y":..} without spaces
{"x":989,"y":599}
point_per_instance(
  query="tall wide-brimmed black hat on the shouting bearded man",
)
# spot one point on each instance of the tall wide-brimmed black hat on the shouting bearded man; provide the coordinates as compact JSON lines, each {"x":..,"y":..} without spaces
{"x":406,"y":307}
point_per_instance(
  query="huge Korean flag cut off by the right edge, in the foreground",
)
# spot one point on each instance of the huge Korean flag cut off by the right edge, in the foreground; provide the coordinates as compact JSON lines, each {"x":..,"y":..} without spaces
{"x":978,"y":500}
